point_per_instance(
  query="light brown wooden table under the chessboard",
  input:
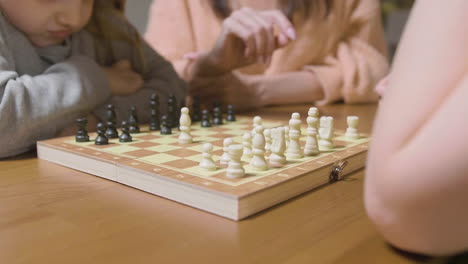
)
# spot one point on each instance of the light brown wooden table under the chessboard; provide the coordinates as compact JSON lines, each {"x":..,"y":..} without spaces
{"x":50,"y":214}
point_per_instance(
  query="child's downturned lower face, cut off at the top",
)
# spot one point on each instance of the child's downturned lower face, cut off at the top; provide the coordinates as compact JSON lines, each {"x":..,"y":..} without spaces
{"x":47,"y":22}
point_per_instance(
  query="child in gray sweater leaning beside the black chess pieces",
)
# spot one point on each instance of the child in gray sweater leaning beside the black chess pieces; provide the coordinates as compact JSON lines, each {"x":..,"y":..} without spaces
{"x":61,"y":59}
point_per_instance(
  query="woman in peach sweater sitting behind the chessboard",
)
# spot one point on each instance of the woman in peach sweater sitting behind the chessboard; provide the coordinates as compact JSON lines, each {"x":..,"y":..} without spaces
{"x":252,"y":53}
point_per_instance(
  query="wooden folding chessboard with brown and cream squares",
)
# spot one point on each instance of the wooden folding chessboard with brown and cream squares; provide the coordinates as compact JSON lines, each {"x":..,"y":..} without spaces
{"x":158,"y":164}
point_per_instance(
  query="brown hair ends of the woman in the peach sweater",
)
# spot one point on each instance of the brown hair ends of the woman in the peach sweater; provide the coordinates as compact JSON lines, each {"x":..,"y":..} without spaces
{"x":291,"y":8}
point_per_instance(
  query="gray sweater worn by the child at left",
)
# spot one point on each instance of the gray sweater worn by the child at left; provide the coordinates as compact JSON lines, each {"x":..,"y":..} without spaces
{"x":43,"y":90}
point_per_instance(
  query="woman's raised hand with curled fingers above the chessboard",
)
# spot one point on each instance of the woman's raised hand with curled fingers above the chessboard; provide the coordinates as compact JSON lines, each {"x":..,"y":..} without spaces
{"x":248,"y":36}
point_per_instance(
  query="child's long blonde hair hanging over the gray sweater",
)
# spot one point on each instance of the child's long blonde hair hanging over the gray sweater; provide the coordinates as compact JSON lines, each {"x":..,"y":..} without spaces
{"x":108,"y":24}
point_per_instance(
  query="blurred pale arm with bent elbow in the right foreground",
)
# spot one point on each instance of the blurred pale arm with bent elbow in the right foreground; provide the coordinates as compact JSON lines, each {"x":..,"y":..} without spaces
{"x":417,"y":173}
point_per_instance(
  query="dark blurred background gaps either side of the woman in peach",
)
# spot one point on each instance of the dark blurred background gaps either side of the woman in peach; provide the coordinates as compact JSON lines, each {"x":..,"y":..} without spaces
{"x":394,"y":14}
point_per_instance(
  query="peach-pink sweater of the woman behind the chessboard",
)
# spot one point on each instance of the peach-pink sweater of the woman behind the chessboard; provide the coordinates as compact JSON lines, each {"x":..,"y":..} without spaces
{"x":346,"y":51}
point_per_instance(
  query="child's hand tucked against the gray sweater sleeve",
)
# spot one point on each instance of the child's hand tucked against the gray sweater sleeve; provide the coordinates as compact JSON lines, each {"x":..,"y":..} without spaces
{"x":122,"y":79}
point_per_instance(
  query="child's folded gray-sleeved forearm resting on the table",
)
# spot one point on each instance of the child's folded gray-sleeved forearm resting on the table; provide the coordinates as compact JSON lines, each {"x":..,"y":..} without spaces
{"x":37,"y":107}
